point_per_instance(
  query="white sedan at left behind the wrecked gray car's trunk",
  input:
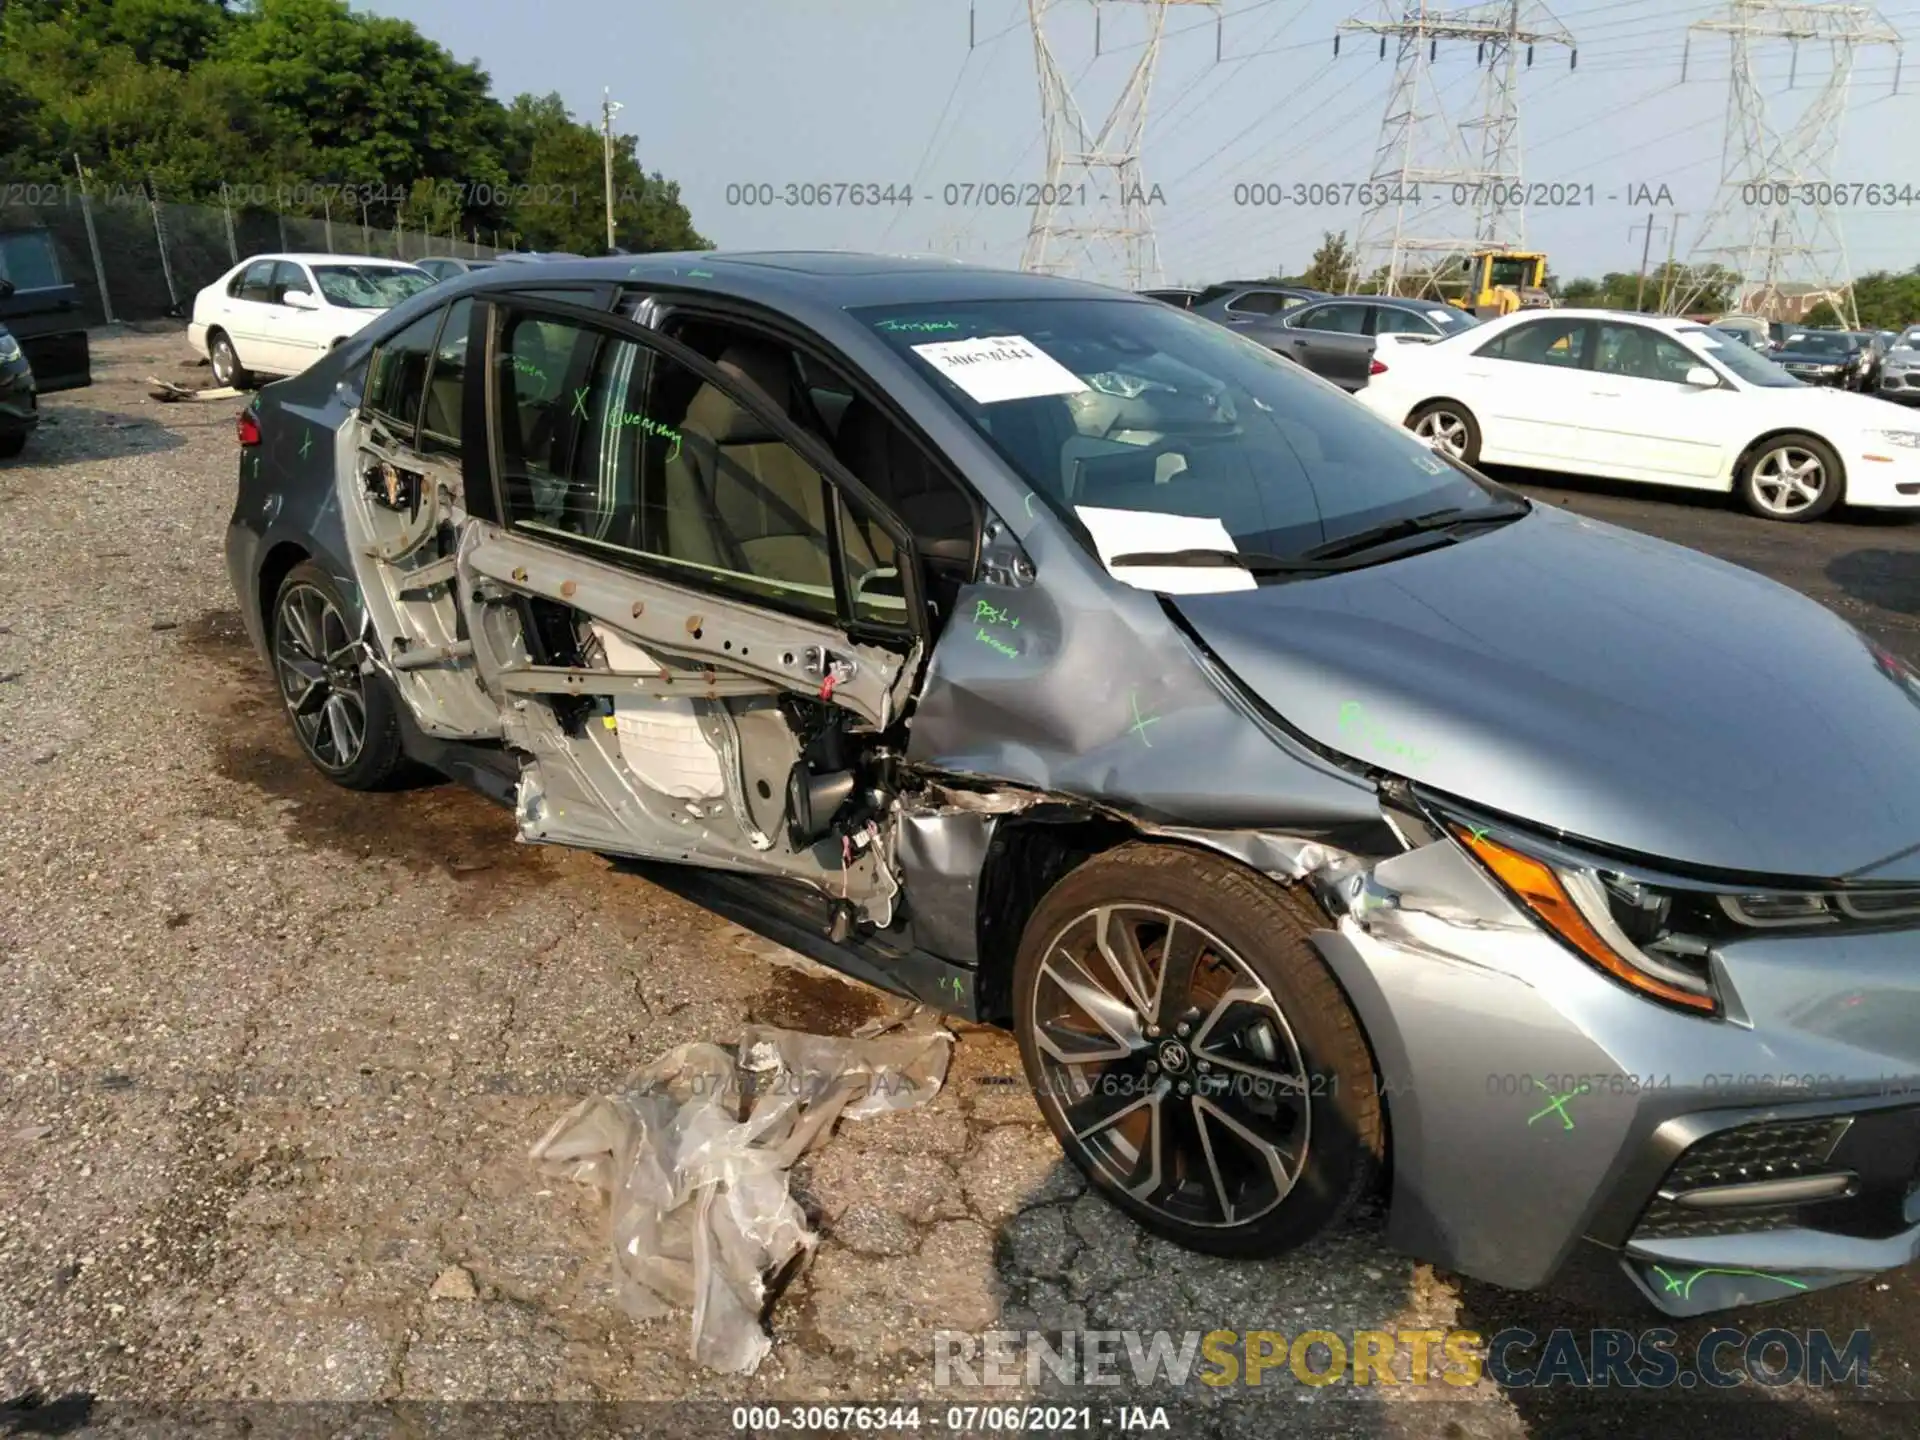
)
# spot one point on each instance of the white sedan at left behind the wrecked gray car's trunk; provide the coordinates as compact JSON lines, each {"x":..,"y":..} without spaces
{"x":279,"y":314}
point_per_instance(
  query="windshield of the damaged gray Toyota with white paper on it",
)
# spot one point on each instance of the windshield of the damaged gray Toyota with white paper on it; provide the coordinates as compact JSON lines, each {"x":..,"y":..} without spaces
{"x":1126,"y":406}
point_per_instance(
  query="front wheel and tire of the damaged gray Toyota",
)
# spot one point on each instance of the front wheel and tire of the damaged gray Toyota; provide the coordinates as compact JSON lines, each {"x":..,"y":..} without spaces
{"x":1220,"y":1203}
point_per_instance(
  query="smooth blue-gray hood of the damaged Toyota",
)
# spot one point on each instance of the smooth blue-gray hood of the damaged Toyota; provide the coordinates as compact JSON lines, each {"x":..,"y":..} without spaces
{"x":1604,"y":684}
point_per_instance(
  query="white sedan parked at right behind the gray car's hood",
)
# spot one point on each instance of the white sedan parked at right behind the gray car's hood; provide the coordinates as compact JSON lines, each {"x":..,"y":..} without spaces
{"x":1648,"y":398}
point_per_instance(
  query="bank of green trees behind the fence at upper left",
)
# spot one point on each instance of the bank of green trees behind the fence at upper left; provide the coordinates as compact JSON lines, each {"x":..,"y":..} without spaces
{"x":295,"y":99}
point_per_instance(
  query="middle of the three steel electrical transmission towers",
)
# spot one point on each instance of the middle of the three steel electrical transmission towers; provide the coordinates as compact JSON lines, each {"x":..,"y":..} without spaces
{"x":1445,"y":187}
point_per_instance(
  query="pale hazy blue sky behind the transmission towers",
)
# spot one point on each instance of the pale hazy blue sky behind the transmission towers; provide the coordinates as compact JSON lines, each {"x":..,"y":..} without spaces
{"x":775,"y":91}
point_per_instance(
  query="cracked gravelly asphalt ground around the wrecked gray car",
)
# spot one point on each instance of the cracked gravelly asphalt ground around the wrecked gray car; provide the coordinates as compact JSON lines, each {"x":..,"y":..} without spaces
{"x":272,"y":1057}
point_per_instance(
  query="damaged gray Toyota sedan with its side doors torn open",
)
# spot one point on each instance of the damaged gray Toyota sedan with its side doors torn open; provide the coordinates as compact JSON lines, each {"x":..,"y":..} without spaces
{"x":1316,"y":811}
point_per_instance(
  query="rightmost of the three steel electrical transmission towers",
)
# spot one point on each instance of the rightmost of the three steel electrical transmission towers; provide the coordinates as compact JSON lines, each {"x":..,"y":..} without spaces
{"x":1775,"y":218}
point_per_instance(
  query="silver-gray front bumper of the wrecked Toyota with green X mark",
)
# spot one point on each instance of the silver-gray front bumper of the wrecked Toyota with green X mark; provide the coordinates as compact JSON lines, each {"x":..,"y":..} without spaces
{"x":1545,"y":1116}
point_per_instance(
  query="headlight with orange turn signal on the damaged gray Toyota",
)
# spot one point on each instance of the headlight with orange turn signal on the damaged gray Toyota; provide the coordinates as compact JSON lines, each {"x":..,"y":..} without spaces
{"x":1620,"y":924}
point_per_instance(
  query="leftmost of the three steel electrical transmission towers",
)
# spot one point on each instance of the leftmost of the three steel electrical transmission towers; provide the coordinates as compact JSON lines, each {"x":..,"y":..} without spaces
{"x":1093,"y":204}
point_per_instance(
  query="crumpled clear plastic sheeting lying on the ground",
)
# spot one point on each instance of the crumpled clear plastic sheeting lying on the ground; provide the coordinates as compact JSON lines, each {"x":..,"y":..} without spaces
{"x":694,"y":1157}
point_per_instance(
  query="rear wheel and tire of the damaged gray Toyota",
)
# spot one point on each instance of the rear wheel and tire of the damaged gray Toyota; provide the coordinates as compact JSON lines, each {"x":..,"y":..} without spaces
{"x":308,"y":652}
